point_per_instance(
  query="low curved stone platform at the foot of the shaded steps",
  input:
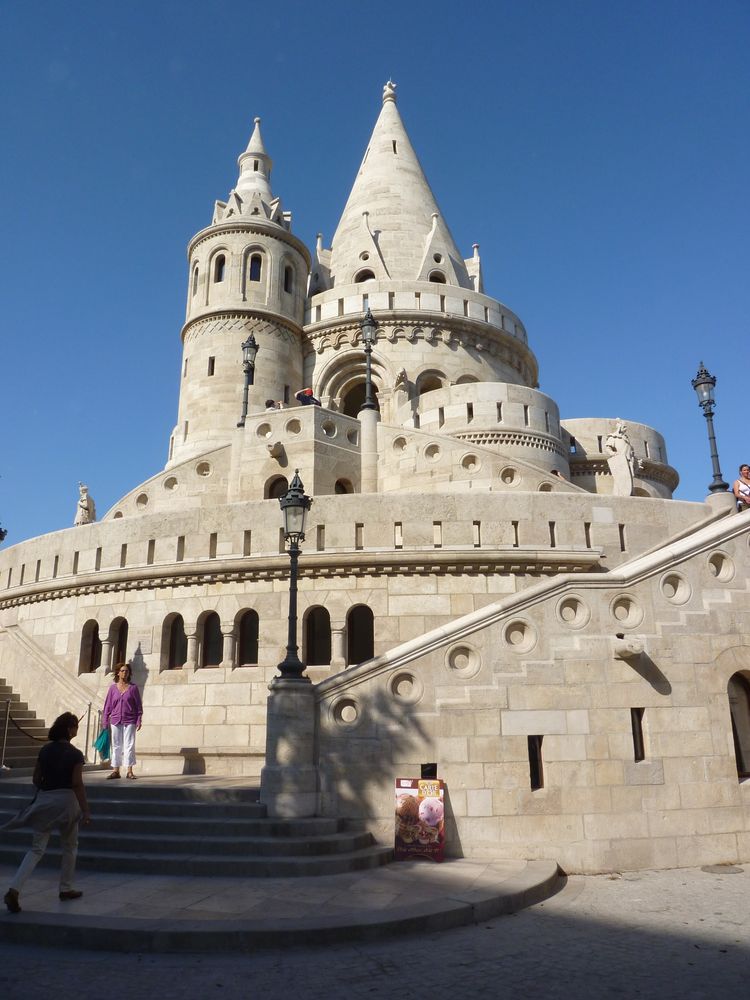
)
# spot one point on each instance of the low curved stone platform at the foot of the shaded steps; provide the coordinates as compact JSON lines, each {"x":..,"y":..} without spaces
{"x":152,"y":913}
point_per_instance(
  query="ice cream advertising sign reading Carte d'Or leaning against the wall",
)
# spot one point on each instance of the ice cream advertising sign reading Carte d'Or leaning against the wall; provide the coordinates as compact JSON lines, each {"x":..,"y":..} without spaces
{"x":420,"y":819}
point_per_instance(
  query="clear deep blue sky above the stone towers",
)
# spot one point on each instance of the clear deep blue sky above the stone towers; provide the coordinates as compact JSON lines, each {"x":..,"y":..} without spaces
{"x":598,"y":153}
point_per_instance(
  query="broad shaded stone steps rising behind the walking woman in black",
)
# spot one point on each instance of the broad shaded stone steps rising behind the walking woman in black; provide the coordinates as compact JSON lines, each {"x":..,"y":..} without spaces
{"x":198,"y":827}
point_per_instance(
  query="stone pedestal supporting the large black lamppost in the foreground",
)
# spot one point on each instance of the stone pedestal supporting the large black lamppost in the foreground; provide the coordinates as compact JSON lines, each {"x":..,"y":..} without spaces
{"x":289,"y":780}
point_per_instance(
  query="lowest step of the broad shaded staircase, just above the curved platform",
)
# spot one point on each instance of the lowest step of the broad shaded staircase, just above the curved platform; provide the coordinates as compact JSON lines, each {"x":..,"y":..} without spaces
{"x":240,"y":865}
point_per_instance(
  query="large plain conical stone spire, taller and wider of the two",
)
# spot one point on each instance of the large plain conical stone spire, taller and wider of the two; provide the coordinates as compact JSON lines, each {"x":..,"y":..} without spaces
{"x":402,"y":215}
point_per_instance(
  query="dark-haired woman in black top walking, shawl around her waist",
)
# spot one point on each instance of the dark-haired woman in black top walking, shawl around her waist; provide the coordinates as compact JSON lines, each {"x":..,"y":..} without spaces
{"x":60,"y":804}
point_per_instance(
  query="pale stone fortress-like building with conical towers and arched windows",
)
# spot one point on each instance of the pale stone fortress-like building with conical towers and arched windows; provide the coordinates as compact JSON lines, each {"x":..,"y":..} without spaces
{"x":483,"y":584}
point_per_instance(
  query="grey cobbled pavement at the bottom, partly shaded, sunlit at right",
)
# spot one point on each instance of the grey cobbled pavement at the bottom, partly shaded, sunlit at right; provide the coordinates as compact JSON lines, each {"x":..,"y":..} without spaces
{"x":677,"y":935}
